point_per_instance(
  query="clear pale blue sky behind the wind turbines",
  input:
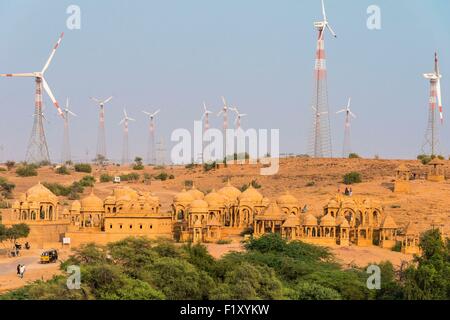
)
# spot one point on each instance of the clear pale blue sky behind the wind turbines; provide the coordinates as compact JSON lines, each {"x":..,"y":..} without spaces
{"x":259,"y":54}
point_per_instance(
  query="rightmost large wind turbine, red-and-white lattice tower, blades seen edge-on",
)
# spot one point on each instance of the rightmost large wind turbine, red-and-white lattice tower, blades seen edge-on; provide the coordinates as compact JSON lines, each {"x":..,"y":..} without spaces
{"x":431,"y":136}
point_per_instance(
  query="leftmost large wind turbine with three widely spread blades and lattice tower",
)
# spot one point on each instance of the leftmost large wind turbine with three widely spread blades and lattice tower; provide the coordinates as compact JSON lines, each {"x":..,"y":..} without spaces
{"x":37,"y":150}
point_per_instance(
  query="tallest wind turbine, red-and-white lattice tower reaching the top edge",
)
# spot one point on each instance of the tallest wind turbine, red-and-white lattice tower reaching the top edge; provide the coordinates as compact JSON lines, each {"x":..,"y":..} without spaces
{"x":320,"y":140}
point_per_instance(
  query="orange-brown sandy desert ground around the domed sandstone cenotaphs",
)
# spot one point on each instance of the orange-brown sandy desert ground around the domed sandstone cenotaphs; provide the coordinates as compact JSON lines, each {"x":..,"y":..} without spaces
{"x":312,"y":181}
